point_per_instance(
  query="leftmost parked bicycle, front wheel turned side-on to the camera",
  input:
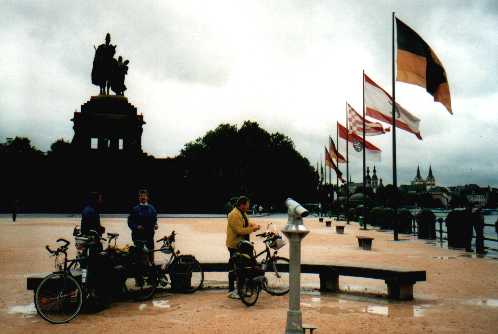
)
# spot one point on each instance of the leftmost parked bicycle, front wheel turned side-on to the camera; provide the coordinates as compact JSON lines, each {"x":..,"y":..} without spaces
{"x":59,"y":296}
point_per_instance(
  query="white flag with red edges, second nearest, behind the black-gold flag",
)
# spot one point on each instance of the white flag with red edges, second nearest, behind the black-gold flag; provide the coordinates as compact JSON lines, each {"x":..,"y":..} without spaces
{"x":378,"y":105}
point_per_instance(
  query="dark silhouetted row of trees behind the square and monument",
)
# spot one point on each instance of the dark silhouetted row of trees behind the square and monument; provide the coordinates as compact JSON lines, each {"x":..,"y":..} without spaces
{"x":227,"y":161}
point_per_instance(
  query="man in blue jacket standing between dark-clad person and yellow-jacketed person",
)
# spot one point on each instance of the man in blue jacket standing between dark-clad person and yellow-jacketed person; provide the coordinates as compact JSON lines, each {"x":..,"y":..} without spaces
{"x":143,"y":222}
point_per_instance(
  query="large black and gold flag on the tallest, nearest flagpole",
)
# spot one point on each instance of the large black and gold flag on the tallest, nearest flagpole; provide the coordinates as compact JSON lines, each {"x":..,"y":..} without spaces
{"x":418,"y":64}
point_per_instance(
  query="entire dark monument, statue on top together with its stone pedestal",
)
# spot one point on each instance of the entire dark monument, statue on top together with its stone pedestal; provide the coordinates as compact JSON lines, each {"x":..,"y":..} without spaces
{"x":108,"y":123}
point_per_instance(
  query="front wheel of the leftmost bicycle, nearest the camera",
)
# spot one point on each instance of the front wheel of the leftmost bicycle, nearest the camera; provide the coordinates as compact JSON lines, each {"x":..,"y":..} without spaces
{"x":58,"y":298}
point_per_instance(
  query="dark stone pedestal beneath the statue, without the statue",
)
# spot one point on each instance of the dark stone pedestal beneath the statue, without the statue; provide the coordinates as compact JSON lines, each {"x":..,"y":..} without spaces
{"x":108,"y":124}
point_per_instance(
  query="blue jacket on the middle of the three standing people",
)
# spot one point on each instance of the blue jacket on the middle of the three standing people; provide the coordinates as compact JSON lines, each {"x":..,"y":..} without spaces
{"x":146,"y":216}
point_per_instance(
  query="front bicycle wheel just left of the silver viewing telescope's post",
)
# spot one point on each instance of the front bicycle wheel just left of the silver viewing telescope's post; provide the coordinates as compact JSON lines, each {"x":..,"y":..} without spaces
{"x":277,"y":280}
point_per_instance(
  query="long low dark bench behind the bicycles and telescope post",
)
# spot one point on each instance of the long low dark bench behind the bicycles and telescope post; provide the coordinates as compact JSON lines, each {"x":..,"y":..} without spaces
{"x":399,"y":281}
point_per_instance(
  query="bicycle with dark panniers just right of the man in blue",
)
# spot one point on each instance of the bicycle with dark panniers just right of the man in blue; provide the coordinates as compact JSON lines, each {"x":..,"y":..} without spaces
{"x":184,"y":271}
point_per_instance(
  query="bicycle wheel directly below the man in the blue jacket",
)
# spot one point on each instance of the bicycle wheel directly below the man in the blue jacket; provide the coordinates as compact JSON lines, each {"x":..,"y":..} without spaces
{"x":142,"y":283}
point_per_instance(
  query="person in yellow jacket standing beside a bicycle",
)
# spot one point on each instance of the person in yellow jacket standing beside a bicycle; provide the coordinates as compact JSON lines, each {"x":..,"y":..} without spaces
{"x":238,"y":228}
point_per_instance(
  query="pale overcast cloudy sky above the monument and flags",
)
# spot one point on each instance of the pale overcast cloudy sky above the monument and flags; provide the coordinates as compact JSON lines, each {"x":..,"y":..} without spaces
{"x":289,"y":65}
